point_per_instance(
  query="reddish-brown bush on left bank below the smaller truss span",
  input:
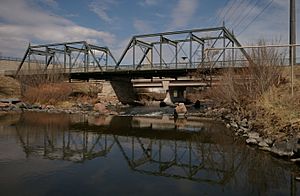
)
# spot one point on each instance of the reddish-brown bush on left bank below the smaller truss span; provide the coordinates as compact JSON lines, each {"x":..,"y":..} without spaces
{"x":48,"y":93}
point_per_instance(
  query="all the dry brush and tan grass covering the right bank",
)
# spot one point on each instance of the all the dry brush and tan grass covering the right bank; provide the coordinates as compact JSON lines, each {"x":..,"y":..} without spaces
{"x":262,"y":93}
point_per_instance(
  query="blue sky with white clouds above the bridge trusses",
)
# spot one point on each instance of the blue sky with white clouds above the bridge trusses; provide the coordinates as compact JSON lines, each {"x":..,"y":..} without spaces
{"x":113,"y":22}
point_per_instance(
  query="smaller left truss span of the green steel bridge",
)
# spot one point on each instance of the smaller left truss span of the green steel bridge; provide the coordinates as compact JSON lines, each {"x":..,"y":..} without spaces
{"x":66,"y":57}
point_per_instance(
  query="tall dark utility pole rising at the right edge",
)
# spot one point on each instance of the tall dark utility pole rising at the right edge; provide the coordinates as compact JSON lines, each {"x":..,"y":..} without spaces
{"x":292,"y":39}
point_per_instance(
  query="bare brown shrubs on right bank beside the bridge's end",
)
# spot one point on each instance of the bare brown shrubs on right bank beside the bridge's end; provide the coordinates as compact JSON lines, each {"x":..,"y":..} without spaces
{"x":243,"y":86}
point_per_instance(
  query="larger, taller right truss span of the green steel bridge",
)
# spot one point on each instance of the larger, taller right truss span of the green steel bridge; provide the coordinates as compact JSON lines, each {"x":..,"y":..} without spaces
{"x":179,"y":49}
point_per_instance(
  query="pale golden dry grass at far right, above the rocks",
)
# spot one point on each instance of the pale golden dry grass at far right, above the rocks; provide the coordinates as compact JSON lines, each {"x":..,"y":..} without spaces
{"x":278,"y":111}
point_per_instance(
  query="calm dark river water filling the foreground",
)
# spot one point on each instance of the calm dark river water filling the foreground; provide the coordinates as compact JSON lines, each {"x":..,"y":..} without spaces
{"x":61,"y":154}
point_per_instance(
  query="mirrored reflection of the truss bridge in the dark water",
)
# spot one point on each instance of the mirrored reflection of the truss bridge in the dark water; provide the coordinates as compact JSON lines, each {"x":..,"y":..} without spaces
{"x":201,"y":155}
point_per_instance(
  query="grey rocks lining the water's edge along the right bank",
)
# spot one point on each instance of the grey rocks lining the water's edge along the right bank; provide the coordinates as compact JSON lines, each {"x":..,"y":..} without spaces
{"x":284,"y":144}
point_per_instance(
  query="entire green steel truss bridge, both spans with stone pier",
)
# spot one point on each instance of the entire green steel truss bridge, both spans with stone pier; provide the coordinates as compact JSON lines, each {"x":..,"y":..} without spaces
{"x":168,"y":54}
